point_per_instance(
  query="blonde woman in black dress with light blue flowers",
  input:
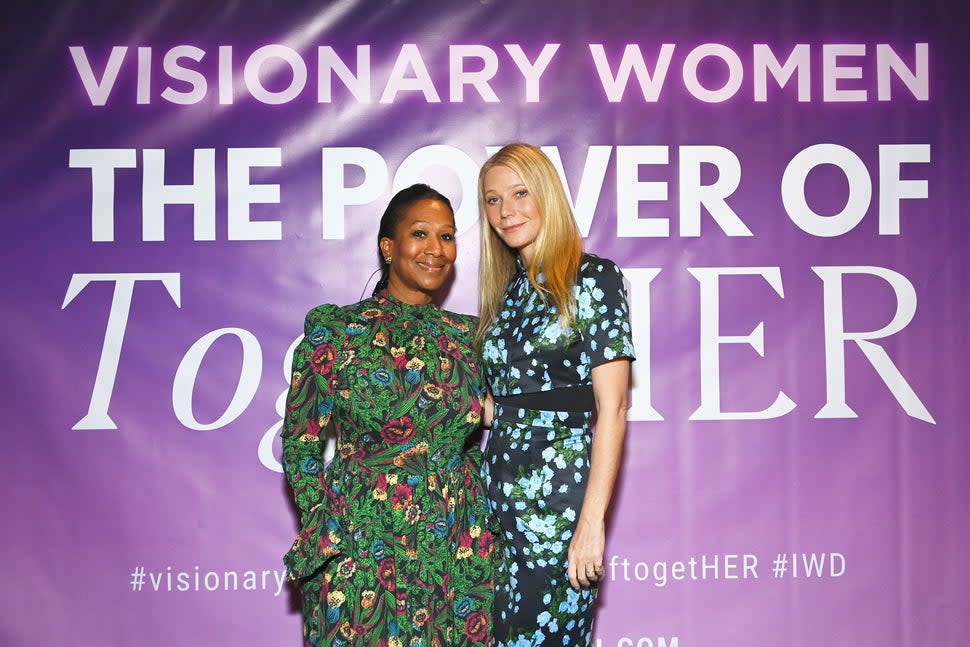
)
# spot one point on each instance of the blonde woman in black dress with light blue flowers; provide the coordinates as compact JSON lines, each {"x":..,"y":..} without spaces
{"x":555,"y":337}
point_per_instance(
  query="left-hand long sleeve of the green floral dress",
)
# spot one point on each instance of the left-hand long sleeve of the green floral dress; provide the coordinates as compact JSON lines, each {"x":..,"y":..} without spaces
{"x":309,"y":404}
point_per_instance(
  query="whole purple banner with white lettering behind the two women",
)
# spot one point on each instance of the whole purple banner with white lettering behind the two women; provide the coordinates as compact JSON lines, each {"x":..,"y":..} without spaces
{"x":783,"y":185}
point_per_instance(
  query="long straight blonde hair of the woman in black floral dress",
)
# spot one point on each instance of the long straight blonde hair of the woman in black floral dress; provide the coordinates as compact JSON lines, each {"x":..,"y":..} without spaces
{"x":558,"y":247}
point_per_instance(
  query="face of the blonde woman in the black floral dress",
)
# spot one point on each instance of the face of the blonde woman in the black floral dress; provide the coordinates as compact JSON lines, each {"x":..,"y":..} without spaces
{"x":511,"y":211}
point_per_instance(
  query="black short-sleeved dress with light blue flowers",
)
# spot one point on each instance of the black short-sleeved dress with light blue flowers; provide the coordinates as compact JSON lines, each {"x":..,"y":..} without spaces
{"x":537,"y":460}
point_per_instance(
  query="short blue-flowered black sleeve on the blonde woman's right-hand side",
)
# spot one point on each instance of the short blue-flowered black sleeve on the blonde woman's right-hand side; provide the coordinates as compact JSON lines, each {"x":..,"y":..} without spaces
{"x":603,"y":313}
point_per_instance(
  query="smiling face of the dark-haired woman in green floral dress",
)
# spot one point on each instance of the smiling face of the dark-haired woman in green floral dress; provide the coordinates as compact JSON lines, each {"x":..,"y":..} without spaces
{"x":422,"y":252}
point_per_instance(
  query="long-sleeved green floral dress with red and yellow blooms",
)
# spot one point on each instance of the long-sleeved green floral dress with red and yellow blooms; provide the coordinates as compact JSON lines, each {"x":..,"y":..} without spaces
{"x":395,"y":547}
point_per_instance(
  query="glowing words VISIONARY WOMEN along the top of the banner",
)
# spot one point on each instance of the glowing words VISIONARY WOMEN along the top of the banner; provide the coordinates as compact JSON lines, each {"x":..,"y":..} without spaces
{"x":711,"y":73}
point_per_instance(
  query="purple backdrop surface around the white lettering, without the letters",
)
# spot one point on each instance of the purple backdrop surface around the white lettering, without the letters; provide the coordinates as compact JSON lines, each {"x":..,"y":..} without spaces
{"x":83,"y":508}
